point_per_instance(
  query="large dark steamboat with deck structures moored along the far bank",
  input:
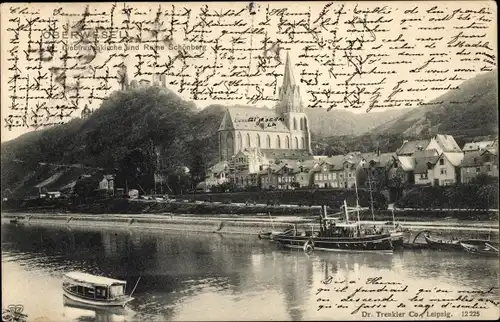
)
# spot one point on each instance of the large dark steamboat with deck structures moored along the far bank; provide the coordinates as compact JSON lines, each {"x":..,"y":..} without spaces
{"x":344,"y":236}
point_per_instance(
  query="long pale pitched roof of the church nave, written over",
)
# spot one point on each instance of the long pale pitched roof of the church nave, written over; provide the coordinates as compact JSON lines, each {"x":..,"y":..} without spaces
{"x":251,"y":118}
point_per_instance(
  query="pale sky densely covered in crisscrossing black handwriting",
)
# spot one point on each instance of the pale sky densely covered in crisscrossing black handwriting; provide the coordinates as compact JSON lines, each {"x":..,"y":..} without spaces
{"x":58,"y":58}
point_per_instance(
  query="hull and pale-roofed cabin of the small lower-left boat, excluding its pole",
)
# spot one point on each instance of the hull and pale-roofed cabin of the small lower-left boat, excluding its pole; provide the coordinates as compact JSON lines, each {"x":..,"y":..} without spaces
{"x":93,"y":287}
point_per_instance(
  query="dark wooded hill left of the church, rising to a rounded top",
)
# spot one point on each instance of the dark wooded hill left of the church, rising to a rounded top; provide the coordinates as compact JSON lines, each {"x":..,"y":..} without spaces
{"x":120,"y":135}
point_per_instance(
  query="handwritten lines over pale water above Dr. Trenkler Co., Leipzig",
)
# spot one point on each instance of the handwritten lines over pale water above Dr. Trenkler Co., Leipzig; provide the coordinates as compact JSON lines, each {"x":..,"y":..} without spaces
{"x":377,"y":298}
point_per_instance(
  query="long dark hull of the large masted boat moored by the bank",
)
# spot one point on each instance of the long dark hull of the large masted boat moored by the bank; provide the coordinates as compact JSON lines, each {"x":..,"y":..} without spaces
{"x":376,"y":243}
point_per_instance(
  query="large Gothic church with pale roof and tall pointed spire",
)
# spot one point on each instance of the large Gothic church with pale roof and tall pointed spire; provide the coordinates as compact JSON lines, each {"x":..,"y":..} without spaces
{"x":279,"y":133}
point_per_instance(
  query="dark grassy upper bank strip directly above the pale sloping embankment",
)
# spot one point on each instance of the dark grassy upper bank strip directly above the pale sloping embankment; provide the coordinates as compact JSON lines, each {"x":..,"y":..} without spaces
{"x":127,"y":206}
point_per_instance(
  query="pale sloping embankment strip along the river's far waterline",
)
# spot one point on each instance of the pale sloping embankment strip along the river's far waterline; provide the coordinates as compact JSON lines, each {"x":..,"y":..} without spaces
{"x":234,"y":224}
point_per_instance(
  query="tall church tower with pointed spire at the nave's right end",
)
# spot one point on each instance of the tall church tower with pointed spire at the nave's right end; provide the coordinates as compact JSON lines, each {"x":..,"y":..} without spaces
{"x":291,"y":109}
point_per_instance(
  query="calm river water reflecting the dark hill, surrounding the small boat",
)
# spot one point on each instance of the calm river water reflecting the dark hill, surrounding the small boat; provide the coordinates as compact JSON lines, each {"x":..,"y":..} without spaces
{"x":189,"y":276}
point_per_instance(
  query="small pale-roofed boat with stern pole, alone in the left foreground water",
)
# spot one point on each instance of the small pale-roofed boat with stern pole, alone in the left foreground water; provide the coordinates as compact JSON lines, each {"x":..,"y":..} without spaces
{"x":95,"y":290}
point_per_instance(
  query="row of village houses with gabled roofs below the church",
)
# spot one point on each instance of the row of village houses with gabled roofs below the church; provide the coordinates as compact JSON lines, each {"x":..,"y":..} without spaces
{"x":438,"y":161}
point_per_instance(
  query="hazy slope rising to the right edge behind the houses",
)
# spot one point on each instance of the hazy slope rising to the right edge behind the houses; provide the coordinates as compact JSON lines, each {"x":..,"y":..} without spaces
{"x":469,"y":112}
